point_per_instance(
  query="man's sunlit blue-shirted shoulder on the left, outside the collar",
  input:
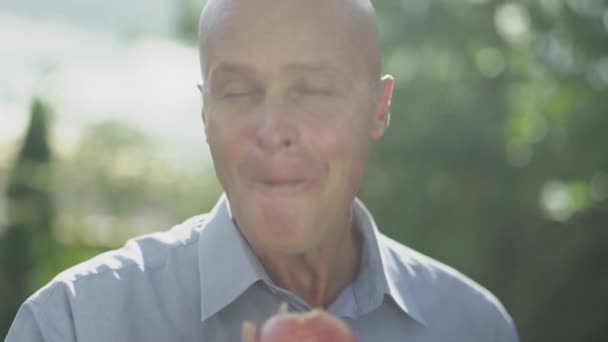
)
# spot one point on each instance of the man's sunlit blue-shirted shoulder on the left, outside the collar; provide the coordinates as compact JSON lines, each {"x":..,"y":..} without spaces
{"x":94,"y":299}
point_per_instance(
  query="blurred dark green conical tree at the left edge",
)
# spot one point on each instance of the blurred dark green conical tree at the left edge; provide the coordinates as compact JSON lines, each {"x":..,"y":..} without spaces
{"x":30,"y":213}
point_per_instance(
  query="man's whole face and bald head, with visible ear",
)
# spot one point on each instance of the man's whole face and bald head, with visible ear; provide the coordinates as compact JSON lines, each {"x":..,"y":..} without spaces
{"x":289,"y":112}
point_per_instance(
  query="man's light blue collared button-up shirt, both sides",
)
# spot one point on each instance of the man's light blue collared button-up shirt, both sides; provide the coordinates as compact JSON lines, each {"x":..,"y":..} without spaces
{"x":200,"y":280}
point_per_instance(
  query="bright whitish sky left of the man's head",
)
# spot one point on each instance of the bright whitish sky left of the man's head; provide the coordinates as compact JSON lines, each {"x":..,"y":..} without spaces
{"x":95,"y":62}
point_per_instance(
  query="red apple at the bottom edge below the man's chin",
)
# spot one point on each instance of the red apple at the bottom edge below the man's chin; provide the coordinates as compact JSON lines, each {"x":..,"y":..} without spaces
{"x":313,"y":326}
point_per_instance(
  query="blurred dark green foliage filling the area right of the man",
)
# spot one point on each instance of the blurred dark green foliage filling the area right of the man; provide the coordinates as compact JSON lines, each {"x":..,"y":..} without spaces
{"x":496,"y":137}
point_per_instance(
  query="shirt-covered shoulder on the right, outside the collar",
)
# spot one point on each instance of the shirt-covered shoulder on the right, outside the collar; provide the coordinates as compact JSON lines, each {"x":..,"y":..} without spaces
{"x":444,"y":293}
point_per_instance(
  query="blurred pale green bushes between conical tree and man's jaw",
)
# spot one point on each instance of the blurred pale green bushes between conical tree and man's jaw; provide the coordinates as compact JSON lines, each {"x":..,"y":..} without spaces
{"x":121,"y":181}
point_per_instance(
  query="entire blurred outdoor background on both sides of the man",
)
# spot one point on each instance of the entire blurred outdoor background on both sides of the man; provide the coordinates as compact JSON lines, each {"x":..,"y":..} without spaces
{"x":496,"y":161}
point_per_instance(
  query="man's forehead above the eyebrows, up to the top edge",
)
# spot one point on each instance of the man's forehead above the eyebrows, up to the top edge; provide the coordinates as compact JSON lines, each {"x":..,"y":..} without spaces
{"x":289,"y":35}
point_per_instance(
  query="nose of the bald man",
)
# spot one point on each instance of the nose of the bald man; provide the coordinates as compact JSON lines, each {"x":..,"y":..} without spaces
{"x":275,"y":131}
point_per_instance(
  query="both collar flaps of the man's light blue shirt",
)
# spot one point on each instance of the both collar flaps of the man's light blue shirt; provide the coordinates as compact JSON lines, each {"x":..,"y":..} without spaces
{"x":228,"y":267}
